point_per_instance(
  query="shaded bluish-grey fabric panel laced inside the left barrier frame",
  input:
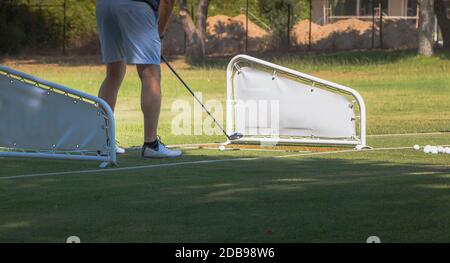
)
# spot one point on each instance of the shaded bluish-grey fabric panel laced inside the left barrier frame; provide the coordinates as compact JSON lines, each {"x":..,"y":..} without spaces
{"x":38,"y":117}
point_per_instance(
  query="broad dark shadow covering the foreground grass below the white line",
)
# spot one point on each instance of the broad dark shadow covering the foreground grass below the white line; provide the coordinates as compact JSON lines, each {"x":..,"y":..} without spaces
{"x":266,"y":200}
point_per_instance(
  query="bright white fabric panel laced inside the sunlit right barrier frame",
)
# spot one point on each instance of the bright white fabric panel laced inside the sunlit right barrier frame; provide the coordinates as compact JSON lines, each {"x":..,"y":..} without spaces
{"x":288,"y":107}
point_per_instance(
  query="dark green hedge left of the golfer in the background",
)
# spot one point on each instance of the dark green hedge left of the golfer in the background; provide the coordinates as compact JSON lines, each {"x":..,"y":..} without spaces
{"x":37,"y":26}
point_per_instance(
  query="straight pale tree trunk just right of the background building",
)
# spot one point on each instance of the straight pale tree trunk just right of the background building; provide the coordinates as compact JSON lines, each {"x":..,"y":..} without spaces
{"x":426,"y":27}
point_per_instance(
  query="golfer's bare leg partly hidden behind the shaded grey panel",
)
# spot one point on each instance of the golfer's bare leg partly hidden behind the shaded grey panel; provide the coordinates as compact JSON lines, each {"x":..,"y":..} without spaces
{"x":115,"y":72}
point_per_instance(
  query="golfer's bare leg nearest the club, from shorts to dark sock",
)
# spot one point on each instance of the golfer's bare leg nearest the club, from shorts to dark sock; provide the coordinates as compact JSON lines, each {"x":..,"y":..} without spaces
{"x":150,"y":99}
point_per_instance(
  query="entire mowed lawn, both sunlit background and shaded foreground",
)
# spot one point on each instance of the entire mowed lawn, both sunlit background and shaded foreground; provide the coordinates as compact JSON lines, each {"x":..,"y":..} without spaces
{"x":398,"y":195}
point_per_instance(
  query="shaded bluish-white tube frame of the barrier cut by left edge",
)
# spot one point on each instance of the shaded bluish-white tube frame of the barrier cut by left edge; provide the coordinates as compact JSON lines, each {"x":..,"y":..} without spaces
{"x":111,"y":158}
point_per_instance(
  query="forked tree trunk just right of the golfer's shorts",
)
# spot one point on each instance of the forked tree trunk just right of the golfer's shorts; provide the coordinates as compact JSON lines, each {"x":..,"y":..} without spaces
{"x":195,"y":34}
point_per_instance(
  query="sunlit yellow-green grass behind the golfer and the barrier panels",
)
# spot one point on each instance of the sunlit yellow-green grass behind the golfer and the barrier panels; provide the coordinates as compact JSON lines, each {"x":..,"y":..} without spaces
{"x":403,"y":92}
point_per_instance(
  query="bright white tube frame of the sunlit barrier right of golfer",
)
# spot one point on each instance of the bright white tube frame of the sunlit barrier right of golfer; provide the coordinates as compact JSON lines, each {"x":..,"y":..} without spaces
{"x":361,"y":142}
